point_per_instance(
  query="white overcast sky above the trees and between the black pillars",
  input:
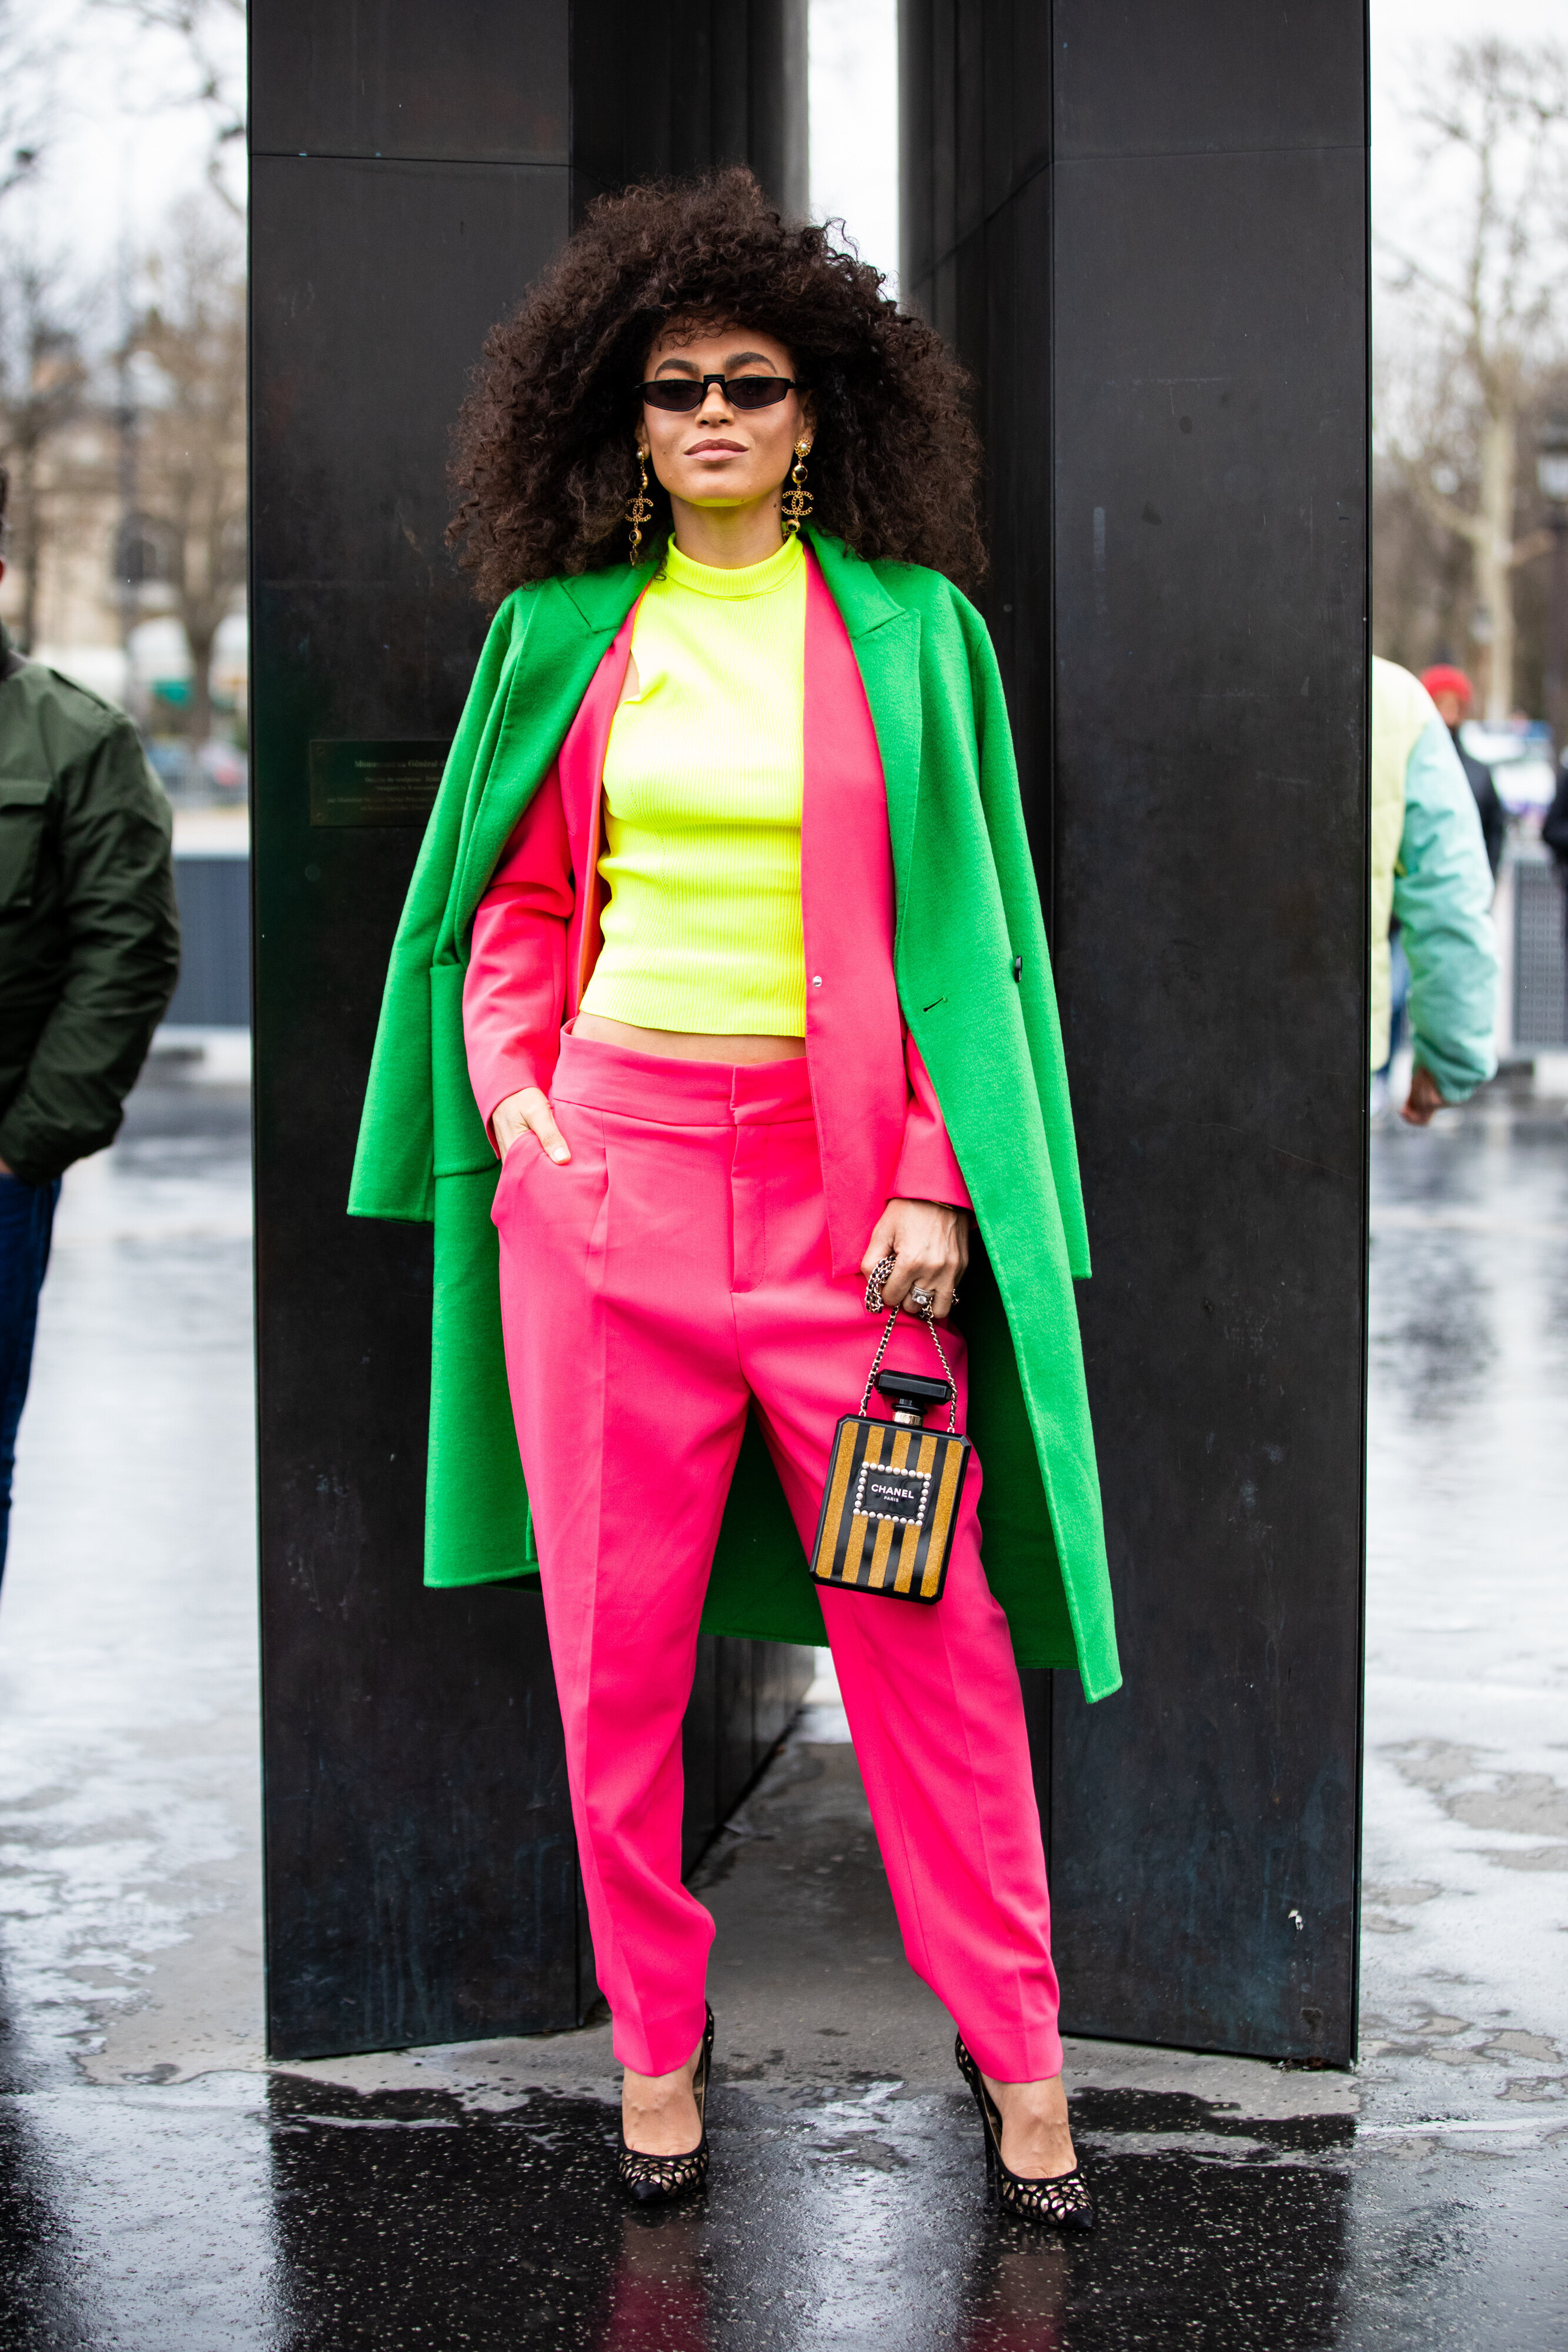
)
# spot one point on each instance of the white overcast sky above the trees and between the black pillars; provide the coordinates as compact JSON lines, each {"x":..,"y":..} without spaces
{"x":123,"y":152}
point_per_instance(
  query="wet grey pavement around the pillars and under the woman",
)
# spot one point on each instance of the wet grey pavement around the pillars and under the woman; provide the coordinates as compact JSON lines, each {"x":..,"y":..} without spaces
{"x":163,"y":2189}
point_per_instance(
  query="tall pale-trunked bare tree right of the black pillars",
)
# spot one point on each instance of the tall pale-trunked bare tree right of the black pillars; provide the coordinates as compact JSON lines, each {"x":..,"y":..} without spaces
{"x":1499,"y":116}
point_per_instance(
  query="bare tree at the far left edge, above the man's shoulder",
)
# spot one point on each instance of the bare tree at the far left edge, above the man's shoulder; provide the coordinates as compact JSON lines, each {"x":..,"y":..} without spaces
{"x":41,"y":392}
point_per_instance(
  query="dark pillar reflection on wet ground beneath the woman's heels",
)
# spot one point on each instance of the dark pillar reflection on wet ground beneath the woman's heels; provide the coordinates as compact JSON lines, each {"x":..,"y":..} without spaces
{"x":406,"y":2221}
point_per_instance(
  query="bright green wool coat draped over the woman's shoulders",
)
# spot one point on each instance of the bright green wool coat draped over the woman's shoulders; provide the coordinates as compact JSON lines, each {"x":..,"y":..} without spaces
{"x":986,"y":1027}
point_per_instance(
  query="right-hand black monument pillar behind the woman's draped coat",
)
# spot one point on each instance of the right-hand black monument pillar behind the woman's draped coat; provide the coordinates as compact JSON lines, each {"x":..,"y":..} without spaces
{"x":1144,"y":222}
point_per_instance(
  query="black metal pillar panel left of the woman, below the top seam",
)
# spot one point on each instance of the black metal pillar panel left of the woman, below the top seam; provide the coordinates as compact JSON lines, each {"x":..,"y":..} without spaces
{"x":422,"y":1873}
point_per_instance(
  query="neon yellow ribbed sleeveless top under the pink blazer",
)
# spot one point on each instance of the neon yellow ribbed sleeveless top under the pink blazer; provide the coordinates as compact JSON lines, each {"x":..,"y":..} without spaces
{"x":704,"y":782}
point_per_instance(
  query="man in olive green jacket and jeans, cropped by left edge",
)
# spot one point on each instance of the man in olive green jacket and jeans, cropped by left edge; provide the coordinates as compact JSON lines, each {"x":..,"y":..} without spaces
{"x":88,"y":965}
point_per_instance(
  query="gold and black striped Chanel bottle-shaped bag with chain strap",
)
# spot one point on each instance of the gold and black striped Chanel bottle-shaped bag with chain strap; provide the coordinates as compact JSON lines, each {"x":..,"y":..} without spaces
{"x":894,"y":1485}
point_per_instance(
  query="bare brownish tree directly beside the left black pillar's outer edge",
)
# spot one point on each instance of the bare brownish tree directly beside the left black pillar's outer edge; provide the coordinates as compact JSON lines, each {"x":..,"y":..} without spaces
{"x":194,"y":434}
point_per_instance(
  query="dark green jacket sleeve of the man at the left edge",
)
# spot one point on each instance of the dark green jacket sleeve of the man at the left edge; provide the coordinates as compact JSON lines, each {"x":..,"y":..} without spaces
{"x":121,"y":930}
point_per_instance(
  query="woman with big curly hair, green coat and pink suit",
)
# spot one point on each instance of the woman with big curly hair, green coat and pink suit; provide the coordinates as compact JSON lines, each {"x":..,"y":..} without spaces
{"x":725,"y":942}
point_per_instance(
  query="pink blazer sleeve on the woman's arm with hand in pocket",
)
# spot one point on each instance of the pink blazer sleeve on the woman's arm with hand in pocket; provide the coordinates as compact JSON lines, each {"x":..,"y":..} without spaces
{"x":516,"y":987}
